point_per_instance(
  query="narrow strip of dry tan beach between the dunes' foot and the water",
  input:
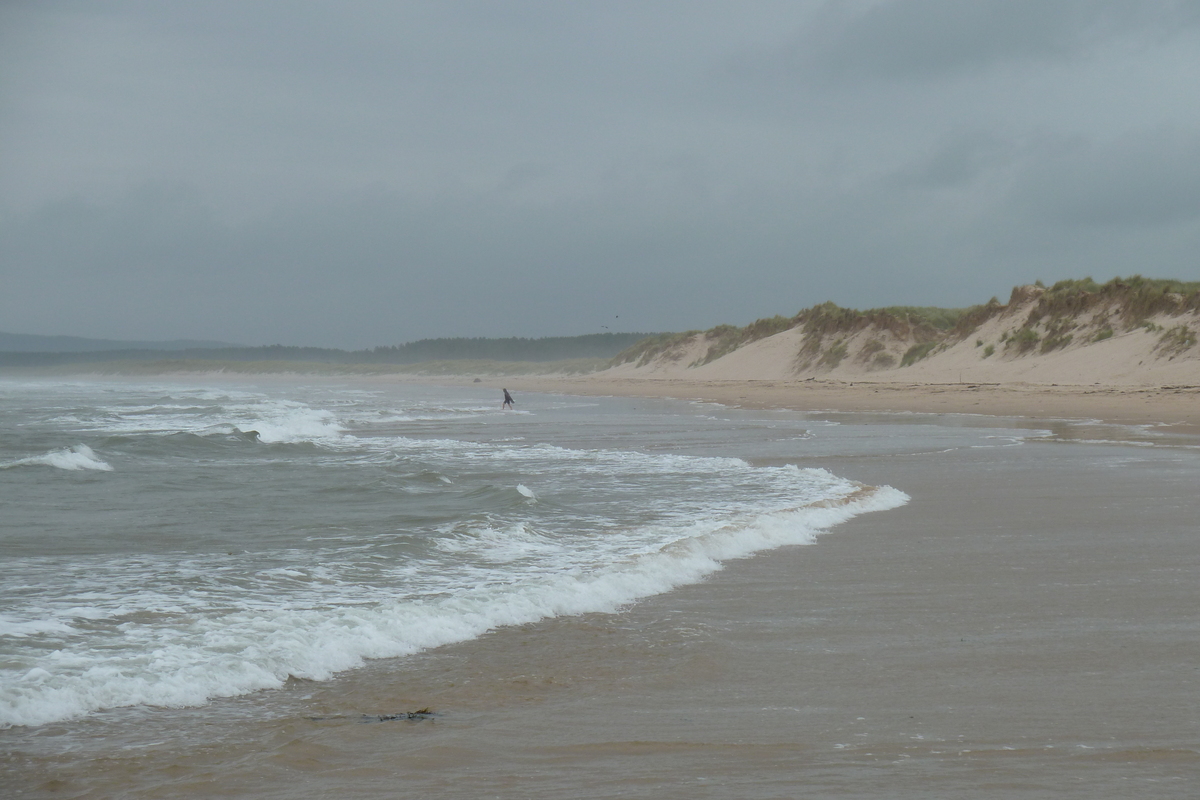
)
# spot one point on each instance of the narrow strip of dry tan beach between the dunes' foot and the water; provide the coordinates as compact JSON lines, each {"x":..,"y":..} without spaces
{"x":1143,"y":398}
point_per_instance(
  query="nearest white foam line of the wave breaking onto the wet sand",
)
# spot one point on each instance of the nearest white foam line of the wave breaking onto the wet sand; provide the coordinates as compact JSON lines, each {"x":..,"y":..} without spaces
{"x":249,"y":652}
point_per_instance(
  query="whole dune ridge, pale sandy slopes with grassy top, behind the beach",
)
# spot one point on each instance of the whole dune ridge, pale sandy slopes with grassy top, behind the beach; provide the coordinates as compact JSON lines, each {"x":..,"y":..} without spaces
{"x":1124,"y":333}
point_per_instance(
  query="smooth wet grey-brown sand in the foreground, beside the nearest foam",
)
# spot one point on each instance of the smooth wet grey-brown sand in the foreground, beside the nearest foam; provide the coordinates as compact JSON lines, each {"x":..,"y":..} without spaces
{"x":1025,"y":628}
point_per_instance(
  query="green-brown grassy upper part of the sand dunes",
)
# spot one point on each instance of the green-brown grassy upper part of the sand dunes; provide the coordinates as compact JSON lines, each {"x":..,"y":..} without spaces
{"x":1036,"y":321}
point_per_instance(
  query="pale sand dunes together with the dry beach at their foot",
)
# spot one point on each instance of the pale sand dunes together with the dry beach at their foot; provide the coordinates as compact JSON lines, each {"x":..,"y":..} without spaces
{"x":1102,"y":359}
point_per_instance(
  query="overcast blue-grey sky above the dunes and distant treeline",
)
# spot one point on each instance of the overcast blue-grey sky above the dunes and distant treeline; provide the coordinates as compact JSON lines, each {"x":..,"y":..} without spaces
{"x":371,"y":173}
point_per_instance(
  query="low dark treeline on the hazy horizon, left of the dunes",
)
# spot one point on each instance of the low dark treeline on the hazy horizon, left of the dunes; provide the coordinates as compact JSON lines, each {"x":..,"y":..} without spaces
{"x":554,"y":348}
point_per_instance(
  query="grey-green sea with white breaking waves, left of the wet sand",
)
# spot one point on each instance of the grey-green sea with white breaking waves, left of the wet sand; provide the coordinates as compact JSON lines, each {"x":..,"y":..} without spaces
{"x":167,"y":544}
